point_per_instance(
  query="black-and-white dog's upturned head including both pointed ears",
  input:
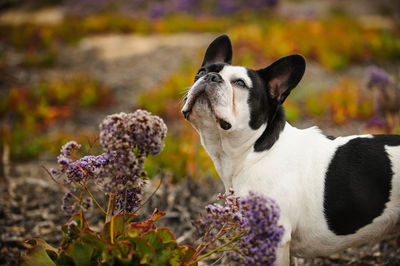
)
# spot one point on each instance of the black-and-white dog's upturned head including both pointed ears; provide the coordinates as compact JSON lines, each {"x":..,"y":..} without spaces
{"x":237,"y":101}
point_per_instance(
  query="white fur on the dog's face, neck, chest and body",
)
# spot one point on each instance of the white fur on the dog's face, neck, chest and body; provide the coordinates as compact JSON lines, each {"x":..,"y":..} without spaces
{"x":292,"y":172}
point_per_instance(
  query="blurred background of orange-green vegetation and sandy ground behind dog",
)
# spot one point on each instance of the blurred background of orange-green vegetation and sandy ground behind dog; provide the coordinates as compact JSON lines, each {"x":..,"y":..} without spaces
{"x":66,"y":64}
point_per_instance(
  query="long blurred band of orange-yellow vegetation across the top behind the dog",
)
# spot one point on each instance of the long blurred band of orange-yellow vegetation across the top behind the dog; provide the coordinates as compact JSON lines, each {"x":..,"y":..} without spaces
{"x":334,"y":41}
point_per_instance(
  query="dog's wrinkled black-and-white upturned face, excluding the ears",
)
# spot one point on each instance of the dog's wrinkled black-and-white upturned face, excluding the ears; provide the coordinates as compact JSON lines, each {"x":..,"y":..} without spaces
{"x":219,"y":95}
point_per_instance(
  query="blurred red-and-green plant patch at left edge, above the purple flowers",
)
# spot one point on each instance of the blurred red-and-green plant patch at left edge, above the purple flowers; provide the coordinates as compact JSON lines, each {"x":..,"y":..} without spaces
{"x":30,"y":111}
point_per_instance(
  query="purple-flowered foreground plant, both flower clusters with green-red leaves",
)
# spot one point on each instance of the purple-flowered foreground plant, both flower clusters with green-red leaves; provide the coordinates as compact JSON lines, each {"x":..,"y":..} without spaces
{"x":246,"y":227}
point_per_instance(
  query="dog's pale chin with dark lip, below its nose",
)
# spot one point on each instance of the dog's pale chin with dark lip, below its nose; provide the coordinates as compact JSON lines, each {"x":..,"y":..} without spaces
{"x":202,"y":109}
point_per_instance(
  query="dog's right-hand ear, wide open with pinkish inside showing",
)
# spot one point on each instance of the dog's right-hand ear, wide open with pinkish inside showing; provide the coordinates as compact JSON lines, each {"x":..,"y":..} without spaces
{"x":283,"y":75}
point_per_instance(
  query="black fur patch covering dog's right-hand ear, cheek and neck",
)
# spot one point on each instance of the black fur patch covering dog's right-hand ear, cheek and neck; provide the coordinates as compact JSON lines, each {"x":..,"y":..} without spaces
{"x":271,"y":86}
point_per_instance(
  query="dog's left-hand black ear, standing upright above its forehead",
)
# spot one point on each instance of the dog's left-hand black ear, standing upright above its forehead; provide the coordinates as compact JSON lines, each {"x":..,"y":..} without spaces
{"x":219,"y":51}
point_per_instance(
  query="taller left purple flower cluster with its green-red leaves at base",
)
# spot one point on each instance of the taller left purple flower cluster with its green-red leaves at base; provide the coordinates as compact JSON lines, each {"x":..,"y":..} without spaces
{"x":127,"y":139}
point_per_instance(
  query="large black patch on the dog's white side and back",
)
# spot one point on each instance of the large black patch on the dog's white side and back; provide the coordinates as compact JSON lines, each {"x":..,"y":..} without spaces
{"x":358,"y":183}
